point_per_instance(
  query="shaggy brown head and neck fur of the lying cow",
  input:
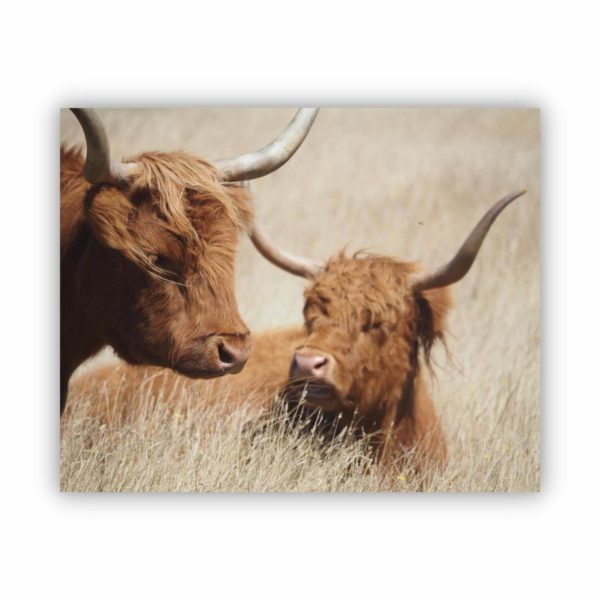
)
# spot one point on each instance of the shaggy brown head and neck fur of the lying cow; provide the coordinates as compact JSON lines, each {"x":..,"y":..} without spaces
{"x":363,"y":315}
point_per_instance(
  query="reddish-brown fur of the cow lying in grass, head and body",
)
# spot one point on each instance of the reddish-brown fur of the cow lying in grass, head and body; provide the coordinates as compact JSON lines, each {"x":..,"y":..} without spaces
{"x":362,"y":313}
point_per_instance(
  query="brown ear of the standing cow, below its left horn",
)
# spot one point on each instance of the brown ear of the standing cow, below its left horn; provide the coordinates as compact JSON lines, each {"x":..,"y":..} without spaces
{"x":109,"y":213}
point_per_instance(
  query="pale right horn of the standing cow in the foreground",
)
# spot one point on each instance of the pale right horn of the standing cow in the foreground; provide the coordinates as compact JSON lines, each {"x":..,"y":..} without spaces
{"x":271,"y":157}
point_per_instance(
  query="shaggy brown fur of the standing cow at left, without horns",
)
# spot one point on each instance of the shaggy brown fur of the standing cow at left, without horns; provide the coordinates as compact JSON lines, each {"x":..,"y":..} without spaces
{"x":148,"y":266}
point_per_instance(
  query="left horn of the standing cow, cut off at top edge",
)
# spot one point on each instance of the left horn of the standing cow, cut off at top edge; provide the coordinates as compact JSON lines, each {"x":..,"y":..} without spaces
{"x":98,"y":168}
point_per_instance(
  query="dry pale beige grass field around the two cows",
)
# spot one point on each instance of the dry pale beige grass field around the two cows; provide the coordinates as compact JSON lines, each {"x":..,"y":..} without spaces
{"x":407,"y":182}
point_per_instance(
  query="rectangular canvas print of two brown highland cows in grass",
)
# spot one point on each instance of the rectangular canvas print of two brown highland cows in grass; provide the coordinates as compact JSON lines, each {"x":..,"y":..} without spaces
{"x":300,"y":300}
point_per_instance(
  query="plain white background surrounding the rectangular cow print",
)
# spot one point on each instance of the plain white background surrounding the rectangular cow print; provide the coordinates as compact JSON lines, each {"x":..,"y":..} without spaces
{"x":266,"y":53}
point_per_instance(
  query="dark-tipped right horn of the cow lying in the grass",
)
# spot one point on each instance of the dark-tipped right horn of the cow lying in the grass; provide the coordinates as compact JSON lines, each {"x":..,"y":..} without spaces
{"x":459,"y":266}
